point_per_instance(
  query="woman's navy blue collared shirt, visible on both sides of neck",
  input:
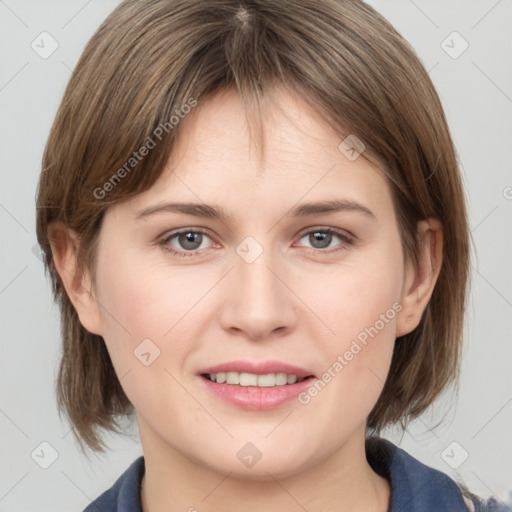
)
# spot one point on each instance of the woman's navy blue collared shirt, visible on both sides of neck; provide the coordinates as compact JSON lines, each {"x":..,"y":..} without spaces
{"x":414,"y":486}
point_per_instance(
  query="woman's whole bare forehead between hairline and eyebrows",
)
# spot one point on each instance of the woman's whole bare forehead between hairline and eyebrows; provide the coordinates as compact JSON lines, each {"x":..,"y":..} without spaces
{"x":215,"y":162}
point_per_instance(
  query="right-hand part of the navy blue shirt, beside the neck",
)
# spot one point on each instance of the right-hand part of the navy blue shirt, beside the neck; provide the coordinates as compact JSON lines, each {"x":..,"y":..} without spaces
{"x":417,"y":487}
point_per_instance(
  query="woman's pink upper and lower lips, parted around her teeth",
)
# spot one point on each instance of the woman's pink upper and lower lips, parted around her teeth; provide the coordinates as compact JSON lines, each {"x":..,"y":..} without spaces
{"x":253,"y":397}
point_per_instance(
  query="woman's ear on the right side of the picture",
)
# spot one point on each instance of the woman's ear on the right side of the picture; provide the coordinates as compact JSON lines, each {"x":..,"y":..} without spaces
{"x":419,"y":282}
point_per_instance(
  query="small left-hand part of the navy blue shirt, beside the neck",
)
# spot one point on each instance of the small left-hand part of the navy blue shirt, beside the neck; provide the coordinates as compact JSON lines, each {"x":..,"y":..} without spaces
{"x":124,"y":495}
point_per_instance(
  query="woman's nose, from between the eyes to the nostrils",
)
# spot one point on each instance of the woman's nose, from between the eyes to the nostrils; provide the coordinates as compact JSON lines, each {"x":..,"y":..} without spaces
{"x":258,"y":301}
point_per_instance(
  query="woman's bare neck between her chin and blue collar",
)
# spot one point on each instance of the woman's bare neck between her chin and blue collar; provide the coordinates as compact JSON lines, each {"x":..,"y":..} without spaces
{"x":344,"y":481}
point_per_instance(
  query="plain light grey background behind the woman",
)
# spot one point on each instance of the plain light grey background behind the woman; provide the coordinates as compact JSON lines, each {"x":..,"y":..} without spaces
{"x":476,"y":90}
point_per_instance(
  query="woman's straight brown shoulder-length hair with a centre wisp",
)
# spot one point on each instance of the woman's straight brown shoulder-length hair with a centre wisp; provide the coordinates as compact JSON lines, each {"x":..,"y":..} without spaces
{"x":149,"y":58}
